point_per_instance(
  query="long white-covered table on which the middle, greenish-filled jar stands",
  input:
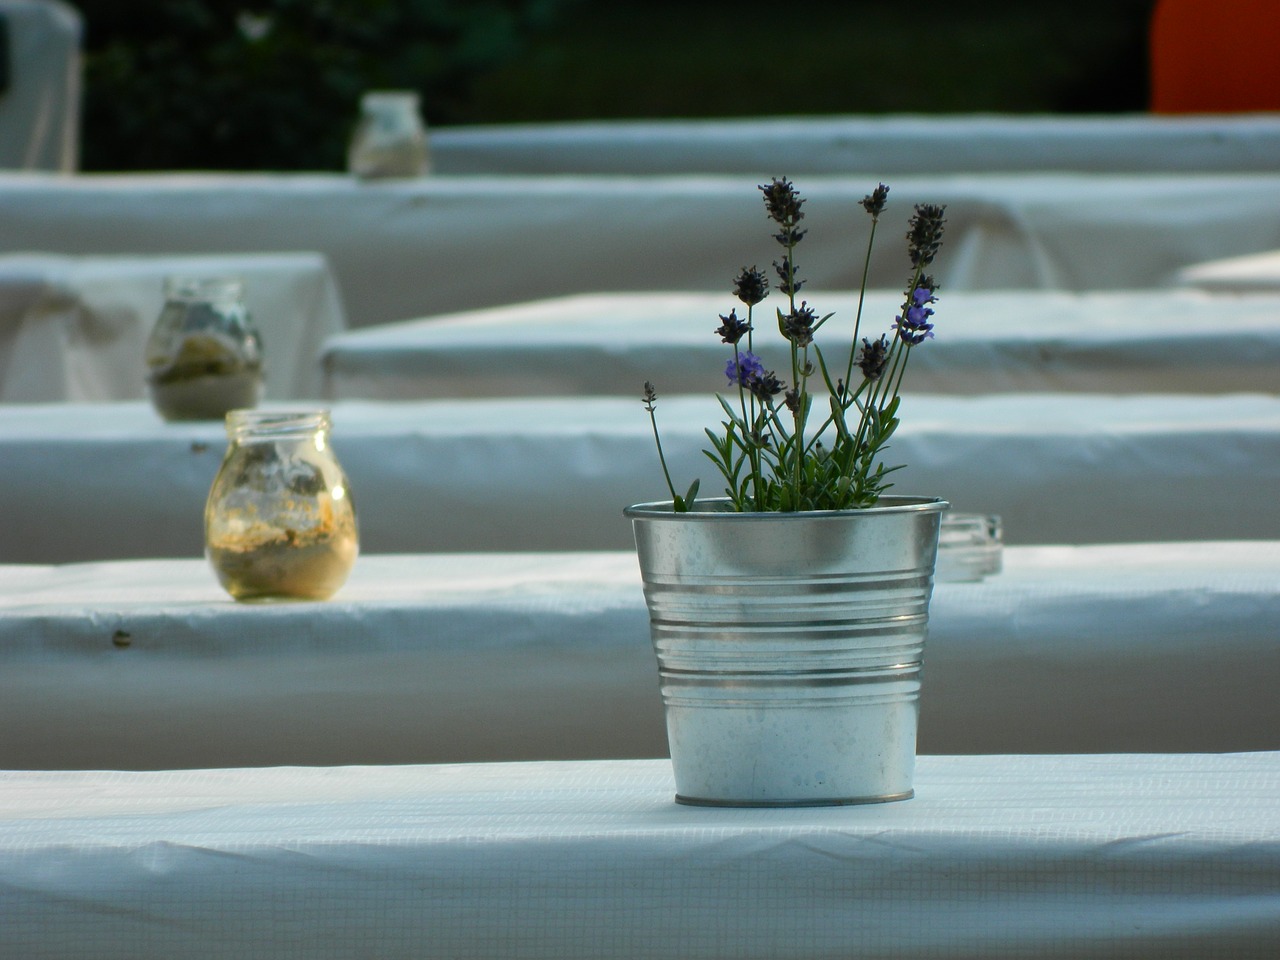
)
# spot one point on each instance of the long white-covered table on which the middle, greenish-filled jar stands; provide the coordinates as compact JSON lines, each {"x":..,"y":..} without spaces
{"x":112,"y":481}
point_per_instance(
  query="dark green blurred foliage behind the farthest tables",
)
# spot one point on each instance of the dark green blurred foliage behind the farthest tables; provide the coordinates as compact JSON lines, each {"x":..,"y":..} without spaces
{"x":276,"y":85}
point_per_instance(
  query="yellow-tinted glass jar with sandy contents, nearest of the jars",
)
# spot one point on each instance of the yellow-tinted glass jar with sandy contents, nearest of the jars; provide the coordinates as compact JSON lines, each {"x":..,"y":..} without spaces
{"x":281,"y":523}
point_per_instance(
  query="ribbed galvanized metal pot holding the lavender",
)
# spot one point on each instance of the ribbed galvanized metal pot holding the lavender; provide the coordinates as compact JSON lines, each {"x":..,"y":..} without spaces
{"x":790,"y":648}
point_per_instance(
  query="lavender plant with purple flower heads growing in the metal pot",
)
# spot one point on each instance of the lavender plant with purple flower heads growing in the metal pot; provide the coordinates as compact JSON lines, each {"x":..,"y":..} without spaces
{"x":815,"y":441}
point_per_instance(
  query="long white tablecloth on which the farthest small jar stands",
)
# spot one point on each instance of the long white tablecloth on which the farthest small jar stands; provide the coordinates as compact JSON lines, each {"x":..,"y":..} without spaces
{"x":436,"y":245}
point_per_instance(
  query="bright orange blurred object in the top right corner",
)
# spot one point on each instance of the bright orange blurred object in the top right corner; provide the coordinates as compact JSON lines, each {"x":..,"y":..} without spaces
{"x":1215,"y":57}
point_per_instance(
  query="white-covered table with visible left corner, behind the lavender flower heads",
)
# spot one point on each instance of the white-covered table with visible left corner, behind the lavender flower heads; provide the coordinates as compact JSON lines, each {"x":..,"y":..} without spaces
{"x":1131,"y":342}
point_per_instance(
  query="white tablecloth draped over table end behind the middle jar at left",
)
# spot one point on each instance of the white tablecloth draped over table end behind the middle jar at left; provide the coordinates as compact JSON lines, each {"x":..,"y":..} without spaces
{"x":76,"y":328}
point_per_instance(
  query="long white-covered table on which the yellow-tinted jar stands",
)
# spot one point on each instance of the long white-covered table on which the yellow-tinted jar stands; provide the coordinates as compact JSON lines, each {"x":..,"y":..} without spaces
{"x":148,"y":665}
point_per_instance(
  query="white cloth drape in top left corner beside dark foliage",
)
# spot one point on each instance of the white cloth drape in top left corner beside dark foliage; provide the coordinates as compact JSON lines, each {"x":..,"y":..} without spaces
{"x":40,"y":112}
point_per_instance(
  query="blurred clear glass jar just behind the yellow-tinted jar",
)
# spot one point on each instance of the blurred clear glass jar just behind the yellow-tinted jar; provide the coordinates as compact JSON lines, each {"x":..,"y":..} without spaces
{"x":204,"y":356}
